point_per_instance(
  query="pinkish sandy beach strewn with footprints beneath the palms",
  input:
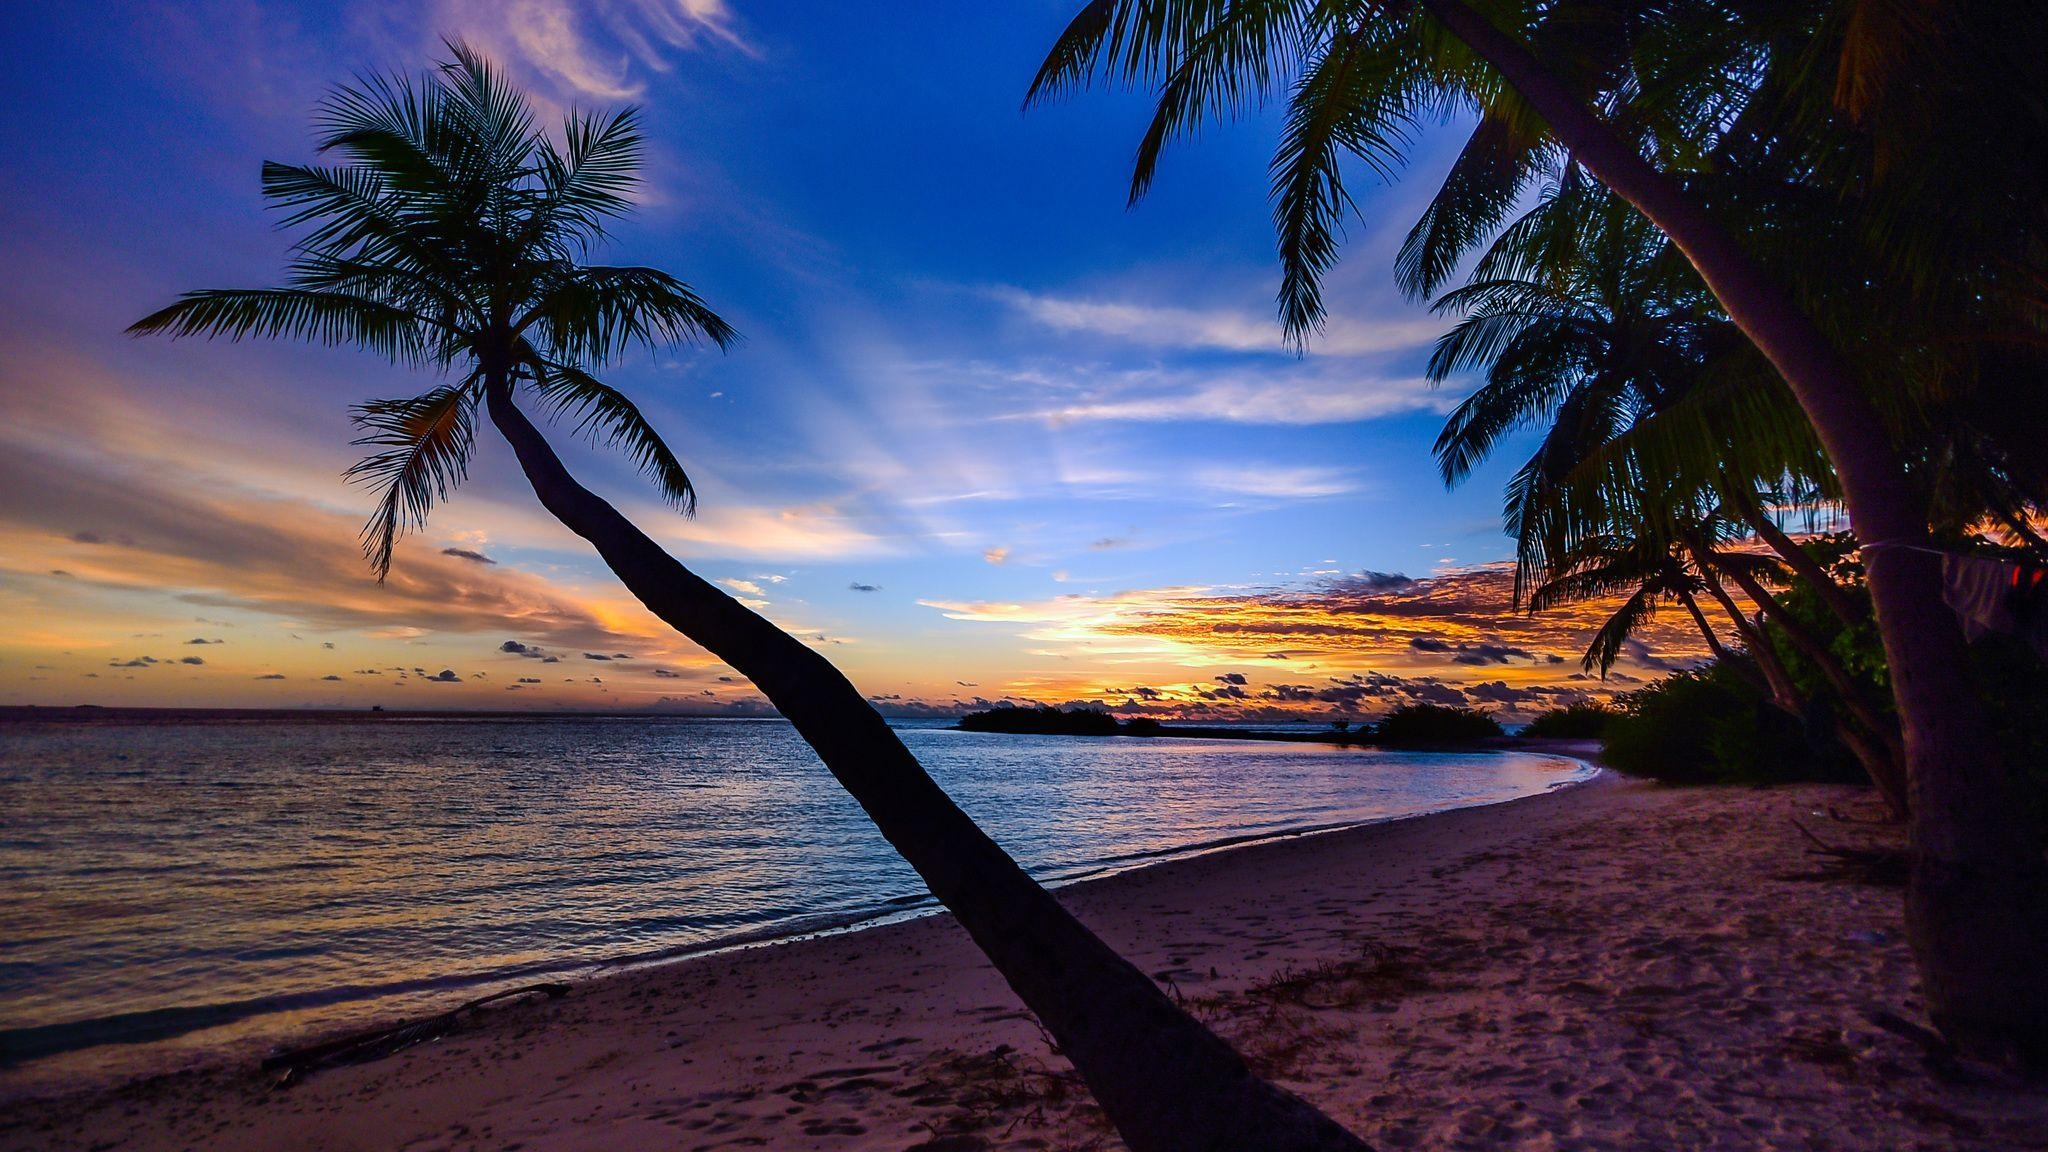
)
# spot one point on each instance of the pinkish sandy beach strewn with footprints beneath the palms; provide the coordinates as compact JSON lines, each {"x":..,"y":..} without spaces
{"x":1607,"y":966}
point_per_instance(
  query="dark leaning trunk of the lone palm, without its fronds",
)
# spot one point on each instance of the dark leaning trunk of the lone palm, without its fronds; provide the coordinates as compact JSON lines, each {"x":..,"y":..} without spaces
{"x":1168,"y":1083}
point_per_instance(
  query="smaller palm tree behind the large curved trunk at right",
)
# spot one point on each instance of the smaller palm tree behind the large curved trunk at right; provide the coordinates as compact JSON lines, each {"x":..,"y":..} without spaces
{"x":1582,"y":319}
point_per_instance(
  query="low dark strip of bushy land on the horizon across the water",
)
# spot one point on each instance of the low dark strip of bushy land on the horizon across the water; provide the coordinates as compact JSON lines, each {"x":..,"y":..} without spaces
{"x":1412,"y":727}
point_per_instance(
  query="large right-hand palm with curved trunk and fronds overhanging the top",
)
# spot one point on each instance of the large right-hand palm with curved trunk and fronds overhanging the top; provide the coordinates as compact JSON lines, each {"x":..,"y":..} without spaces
{"x":1570,"y":81}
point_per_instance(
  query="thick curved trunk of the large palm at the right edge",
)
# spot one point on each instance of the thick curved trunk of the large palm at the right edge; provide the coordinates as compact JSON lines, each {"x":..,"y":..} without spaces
{"x":1977,"y":905}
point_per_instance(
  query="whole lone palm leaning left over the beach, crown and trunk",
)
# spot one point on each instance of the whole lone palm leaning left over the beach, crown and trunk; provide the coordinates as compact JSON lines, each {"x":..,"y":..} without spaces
{"x":456,"y":239}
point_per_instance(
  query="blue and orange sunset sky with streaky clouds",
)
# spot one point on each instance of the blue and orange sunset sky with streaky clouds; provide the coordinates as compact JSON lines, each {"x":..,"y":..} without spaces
{"x":992,"y":436}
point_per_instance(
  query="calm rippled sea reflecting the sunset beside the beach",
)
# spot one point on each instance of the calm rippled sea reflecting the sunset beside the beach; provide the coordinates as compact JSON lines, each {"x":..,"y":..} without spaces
{"x":194,"y":884}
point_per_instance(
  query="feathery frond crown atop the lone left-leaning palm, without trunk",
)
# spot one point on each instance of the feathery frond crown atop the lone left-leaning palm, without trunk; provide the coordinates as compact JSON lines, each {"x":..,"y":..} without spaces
{"x":454,"y":239}
